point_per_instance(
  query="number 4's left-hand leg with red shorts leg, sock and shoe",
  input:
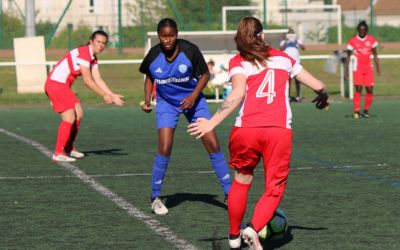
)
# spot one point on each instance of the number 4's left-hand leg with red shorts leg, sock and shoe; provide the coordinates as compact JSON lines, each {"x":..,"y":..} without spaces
{"x":245,"y":155}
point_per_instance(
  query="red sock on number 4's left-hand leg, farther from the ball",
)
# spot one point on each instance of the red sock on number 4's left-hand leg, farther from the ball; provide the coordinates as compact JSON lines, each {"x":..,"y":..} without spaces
{"x":237,"y":201}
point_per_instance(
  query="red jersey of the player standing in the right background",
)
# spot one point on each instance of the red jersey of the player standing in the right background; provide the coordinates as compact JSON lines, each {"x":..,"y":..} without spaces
{"x":362,"y":49}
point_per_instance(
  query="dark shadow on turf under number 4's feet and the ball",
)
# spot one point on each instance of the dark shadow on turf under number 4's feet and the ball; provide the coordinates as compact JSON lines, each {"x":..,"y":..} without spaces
{"x":218,"y":243}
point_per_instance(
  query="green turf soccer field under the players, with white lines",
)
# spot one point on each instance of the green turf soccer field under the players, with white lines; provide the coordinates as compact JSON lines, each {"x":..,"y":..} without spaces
{"x":343,"y":190}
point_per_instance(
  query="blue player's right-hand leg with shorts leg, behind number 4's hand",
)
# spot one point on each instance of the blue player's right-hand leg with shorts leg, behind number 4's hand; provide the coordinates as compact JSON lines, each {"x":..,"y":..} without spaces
{"x":211,"y":143}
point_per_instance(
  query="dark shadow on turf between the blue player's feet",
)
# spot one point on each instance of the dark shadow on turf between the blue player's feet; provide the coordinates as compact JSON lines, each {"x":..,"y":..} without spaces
{"x":178,"y":198}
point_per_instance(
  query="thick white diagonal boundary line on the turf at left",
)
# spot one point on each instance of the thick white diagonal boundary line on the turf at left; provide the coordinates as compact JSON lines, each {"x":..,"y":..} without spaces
{"x":150,"y":222}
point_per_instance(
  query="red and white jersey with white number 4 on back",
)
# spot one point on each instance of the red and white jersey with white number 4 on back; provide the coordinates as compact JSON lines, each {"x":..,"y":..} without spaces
{"x":266,"y":102}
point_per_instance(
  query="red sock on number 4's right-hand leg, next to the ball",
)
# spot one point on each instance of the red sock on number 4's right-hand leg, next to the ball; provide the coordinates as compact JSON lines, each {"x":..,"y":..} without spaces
{"x":264,"y":210}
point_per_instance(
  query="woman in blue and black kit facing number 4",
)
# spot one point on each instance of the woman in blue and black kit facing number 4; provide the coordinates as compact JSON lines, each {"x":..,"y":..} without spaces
{"x":180,"y":73}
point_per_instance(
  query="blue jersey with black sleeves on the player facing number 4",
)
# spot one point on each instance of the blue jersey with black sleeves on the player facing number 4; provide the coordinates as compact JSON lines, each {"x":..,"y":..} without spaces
{"x":175,"y":79}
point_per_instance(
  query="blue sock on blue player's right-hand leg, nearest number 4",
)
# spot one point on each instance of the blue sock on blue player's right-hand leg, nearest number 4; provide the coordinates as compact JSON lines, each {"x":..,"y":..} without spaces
{"x":221,"y":170}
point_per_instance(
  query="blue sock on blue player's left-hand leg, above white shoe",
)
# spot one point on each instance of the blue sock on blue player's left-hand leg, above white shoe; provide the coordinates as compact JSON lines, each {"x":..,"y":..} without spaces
{"x":159,"y":169}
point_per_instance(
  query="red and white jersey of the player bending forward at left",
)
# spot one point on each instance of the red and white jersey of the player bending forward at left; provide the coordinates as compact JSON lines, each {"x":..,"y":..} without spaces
{"x":68,"y":67}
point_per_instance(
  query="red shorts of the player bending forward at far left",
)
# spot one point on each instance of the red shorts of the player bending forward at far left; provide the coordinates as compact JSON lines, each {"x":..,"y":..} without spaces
{"x":61,"y":96}
